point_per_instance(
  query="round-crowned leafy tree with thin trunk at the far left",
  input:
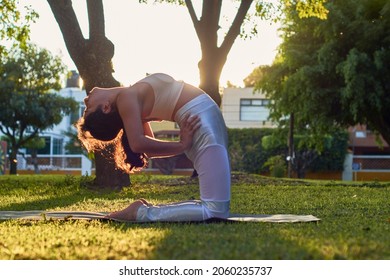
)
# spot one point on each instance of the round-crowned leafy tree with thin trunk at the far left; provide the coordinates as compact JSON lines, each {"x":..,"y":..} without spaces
{"x":26,"y":104}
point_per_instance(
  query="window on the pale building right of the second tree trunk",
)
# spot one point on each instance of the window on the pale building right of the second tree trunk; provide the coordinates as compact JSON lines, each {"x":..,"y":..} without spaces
{"x":254,"y":109}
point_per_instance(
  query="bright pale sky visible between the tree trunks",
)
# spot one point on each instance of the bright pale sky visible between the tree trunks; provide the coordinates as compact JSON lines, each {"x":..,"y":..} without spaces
{"x":152,"y":38}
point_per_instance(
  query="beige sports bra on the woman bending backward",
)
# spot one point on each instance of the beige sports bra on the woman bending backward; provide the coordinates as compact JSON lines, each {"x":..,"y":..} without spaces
{"x":166,"y":93}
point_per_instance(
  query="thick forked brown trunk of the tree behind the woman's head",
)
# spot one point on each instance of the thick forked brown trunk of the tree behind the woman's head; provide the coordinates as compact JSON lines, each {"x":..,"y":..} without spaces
{"x":93,"y":59}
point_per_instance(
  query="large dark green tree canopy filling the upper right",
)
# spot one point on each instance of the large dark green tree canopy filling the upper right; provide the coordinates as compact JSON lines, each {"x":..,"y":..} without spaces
{"x":333,"y":72}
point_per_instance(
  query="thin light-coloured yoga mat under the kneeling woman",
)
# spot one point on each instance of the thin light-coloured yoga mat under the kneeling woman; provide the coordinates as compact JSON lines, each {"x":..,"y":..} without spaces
{"x":80,"y":215}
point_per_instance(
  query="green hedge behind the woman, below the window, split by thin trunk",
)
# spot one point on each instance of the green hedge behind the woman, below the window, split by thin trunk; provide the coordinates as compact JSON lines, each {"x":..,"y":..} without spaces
{"x":260,"y":150}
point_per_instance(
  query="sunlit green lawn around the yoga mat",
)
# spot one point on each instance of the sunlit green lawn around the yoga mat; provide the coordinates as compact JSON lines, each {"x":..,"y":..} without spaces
{"x":355,"y":221}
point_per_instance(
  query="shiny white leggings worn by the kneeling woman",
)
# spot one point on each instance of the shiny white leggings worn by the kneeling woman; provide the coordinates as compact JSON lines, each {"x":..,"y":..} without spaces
{"x":210,"y":158}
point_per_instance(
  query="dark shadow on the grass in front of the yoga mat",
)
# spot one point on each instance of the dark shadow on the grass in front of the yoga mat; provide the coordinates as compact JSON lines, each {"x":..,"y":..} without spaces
{"x":226,"y":241}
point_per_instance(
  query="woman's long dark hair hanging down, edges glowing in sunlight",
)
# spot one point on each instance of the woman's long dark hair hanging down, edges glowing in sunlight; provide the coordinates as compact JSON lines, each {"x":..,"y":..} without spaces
{"x":98,"y":129}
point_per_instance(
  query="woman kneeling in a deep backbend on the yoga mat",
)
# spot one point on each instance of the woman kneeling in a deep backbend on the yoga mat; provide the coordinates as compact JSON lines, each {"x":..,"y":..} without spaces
{"x":121,"y":115}
